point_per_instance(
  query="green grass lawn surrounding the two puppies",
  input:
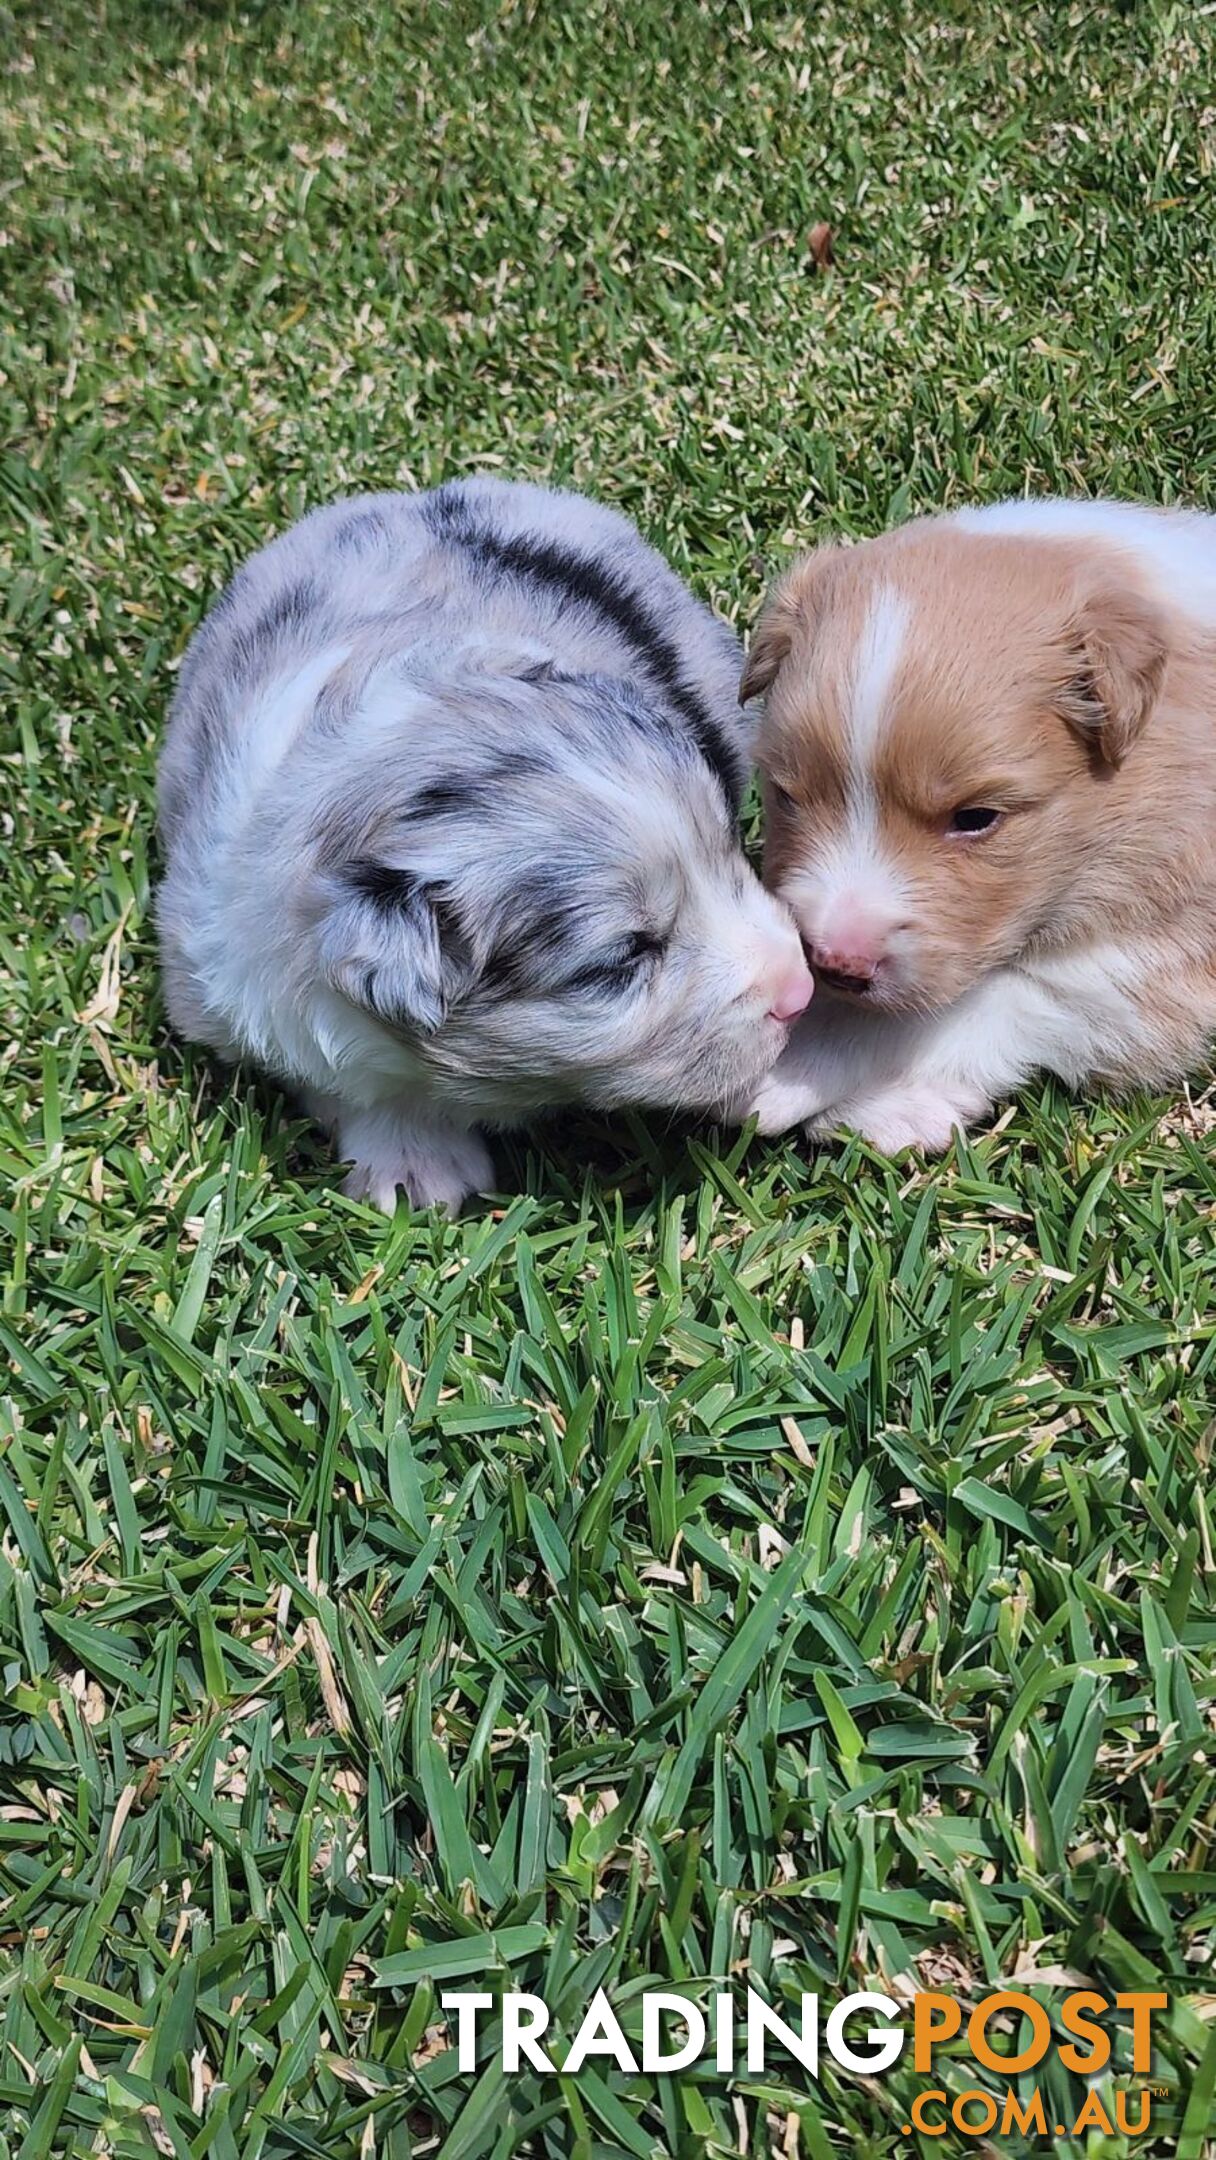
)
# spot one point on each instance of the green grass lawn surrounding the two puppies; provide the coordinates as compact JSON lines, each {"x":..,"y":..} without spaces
{"x":710,"y":1561}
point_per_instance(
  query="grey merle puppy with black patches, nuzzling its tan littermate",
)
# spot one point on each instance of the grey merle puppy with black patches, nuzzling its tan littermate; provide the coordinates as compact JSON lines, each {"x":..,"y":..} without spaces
{"x":448,"y":811}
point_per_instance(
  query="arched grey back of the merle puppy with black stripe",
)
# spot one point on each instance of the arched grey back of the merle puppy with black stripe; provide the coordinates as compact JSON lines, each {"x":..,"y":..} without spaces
{"x":476,"y":558}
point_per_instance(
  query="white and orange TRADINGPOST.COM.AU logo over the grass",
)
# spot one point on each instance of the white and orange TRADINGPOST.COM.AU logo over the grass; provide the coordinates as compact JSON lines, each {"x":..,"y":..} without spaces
{"x":744,"y":2034}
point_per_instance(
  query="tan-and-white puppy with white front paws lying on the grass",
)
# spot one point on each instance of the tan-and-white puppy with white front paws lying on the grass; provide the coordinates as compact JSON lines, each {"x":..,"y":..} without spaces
{"x":990,"y":781}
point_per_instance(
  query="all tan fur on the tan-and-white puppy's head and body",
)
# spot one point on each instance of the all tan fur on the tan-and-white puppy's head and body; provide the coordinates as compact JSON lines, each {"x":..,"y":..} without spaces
{"x":1049,"y":679}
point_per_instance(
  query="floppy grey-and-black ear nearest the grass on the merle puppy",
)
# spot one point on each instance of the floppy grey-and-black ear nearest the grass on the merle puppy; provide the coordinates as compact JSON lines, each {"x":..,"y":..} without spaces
{"x":394,"y":947}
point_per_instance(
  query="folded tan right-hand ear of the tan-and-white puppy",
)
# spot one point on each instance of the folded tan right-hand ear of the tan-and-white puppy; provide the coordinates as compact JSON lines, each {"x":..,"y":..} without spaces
{"x":1120,"y":649}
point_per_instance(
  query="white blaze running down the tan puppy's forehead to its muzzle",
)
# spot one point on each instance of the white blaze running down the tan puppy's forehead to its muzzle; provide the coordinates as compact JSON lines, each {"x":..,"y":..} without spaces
{"x":852,"y":895}
